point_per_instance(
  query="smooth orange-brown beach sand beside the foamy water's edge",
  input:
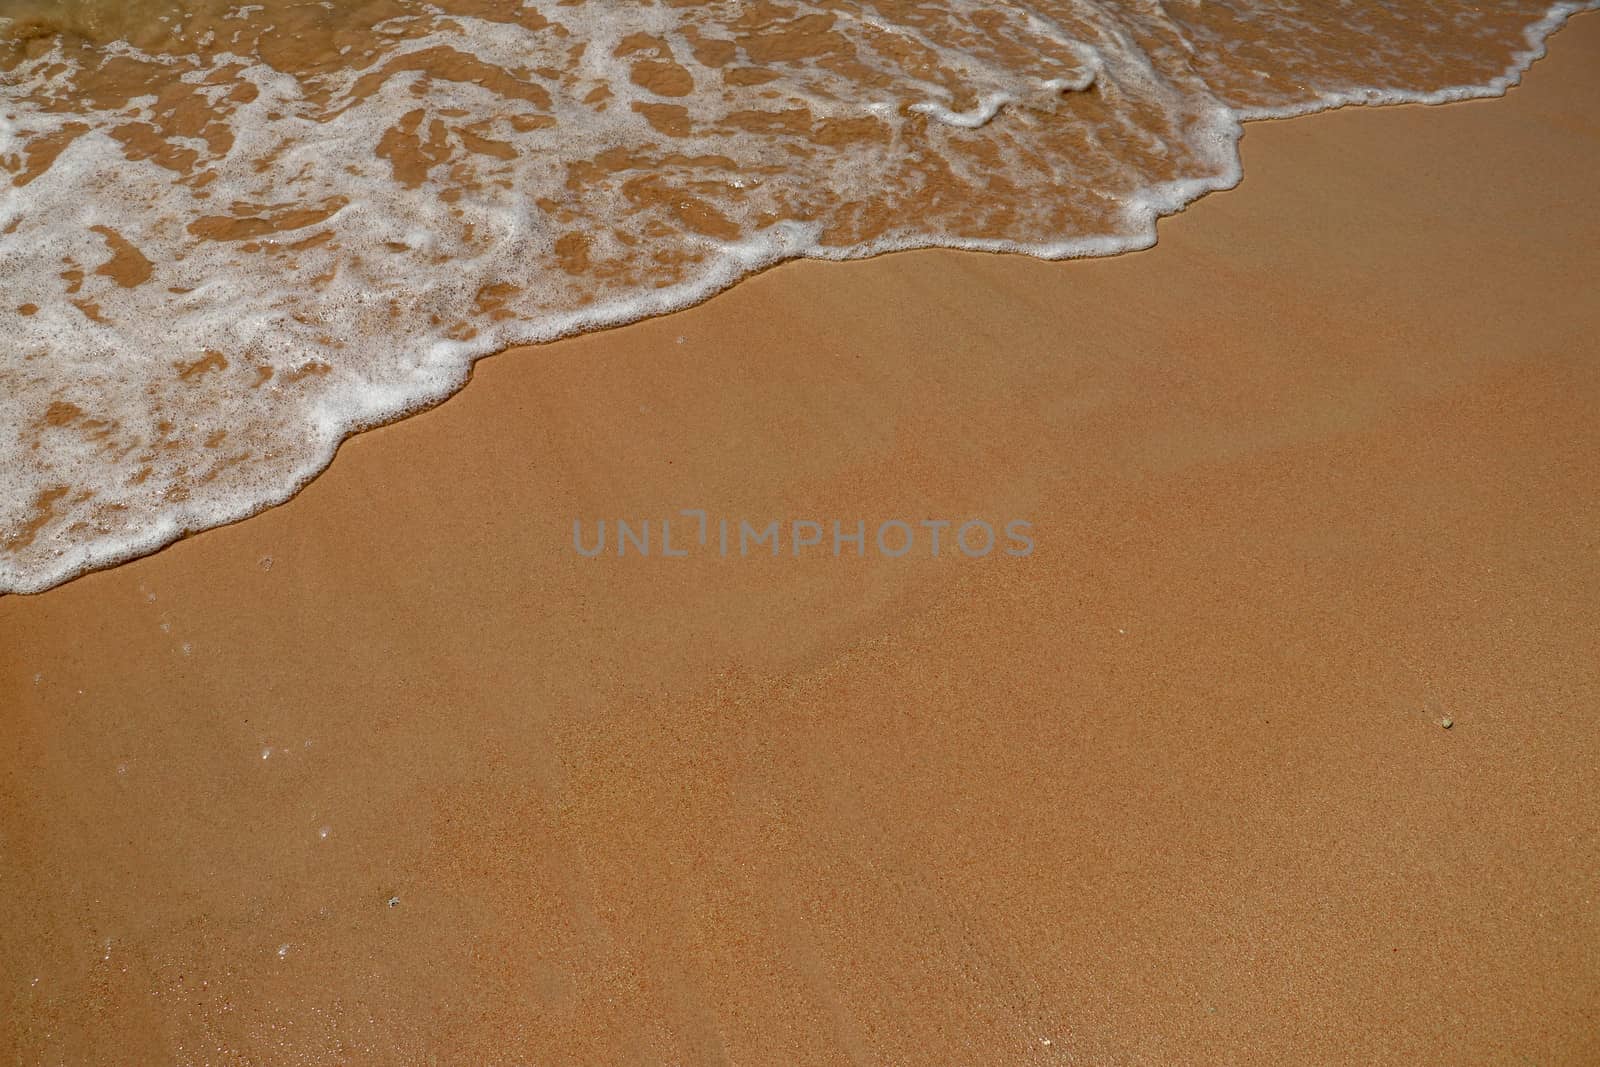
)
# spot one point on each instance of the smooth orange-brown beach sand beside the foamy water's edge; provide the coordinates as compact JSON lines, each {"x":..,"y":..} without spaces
{"x":1311,"y":476}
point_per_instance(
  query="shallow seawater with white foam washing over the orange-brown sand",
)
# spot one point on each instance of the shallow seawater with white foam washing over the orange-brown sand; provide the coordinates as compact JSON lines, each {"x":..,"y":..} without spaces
{"x":233,"y":234}
